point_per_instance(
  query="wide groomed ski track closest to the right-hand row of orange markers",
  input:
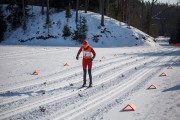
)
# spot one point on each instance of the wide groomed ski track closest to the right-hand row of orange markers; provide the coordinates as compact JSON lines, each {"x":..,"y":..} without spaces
{"x":106,"y":96}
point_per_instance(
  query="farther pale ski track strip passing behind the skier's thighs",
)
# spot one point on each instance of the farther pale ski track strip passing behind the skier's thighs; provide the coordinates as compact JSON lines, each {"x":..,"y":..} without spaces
{"x":39,"y":81}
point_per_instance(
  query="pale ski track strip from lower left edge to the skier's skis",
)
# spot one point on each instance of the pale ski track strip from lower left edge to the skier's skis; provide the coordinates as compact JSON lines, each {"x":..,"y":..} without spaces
{"x":36,"y":104}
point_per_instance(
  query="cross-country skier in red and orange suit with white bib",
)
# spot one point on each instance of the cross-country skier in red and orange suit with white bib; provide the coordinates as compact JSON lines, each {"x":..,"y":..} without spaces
{"x":86,"y":61}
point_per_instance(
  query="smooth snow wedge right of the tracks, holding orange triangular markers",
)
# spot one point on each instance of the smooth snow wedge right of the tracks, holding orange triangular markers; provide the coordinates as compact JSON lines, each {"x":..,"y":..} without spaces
{"x":158,"y":104}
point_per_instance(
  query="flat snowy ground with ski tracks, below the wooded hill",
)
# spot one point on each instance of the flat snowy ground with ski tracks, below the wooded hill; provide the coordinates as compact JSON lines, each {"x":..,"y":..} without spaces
{"x":120,"y":76}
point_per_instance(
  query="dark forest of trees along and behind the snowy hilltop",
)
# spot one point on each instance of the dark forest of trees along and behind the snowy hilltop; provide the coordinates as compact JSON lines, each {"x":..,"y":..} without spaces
{"x":152,"y":17}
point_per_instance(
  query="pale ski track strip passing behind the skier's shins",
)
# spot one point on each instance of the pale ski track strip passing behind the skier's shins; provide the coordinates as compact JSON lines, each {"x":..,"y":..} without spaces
{"x":65,"y":83}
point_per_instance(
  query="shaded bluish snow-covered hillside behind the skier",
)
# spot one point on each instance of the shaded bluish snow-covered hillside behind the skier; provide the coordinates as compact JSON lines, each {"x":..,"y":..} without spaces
{"x":113,"y":34}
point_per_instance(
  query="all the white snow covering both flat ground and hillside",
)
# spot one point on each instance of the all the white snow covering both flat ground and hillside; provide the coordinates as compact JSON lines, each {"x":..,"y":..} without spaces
{"x":122,"y":72}
